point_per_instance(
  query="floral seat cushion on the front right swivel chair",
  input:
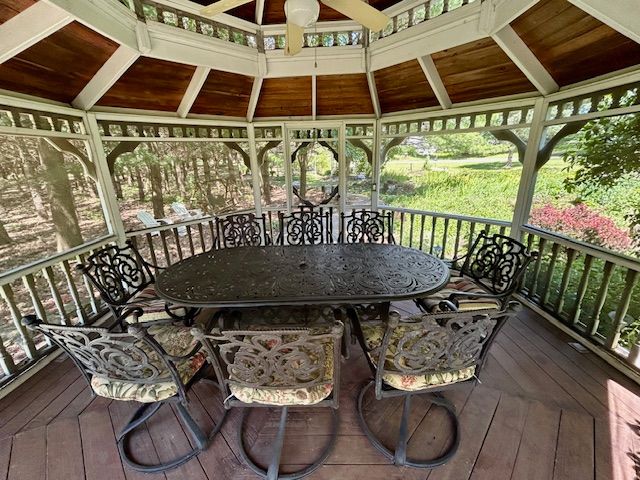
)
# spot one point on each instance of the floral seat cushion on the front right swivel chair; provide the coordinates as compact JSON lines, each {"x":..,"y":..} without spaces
{"x":373,"y":335}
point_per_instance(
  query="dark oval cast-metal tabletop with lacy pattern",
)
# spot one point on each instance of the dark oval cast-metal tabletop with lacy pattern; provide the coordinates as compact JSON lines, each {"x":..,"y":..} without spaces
{"x":302,"y":275}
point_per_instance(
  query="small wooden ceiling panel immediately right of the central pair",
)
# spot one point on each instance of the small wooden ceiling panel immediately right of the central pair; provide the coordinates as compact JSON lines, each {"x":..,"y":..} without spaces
{"x":404,"y":87}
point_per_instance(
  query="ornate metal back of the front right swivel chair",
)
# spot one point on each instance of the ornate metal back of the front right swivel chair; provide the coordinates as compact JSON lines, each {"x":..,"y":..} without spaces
{"x":437,"y":343}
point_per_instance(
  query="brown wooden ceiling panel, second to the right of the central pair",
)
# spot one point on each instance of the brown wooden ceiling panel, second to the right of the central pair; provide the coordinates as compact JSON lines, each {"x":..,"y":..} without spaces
{"x":478,"y":71}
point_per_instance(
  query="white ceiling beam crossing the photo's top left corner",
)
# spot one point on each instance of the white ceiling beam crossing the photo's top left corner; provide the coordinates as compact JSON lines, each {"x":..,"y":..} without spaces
{"x":29,"y":27}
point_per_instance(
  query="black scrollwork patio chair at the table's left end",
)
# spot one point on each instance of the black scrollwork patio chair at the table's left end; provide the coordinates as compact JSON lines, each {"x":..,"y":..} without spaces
{"x":126,"y":281}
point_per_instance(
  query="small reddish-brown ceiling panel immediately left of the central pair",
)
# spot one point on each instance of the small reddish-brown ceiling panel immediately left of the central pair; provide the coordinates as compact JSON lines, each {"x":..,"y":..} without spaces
{"x":224,"y":93}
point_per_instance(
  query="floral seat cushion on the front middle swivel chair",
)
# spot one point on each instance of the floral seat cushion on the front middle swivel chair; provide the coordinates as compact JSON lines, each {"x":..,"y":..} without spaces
{"x":288,"y":396}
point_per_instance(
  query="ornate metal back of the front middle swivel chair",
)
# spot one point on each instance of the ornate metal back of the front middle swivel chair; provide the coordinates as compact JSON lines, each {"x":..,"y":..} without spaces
{"x":275,"y":359}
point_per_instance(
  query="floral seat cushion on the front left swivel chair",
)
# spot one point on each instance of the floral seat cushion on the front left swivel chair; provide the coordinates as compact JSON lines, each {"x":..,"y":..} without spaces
{"x":176,"y":341}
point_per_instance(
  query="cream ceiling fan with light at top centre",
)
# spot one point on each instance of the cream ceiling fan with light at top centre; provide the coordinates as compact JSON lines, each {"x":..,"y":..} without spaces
{"x":304,"y":13}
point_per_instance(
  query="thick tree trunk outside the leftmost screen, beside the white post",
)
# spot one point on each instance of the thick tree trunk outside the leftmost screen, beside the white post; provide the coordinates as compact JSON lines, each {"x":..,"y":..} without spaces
{"x":63,"y":209}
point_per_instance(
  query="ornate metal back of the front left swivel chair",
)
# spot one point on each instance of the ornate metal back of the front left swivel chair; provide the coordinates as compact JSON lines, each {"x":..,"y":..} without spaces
{"x":133,"y":356}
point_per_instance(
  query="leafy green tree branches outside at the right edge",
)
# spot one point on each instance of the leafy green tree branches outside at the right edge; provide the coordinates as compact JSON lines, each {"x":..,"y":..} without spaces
{"x":604,"y":154}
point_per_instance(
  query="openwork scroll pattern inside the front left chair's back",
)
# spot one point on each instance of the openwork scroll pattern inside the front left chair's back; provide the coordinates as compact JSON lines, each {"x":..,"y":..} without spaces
{"x":116,"y":356}
